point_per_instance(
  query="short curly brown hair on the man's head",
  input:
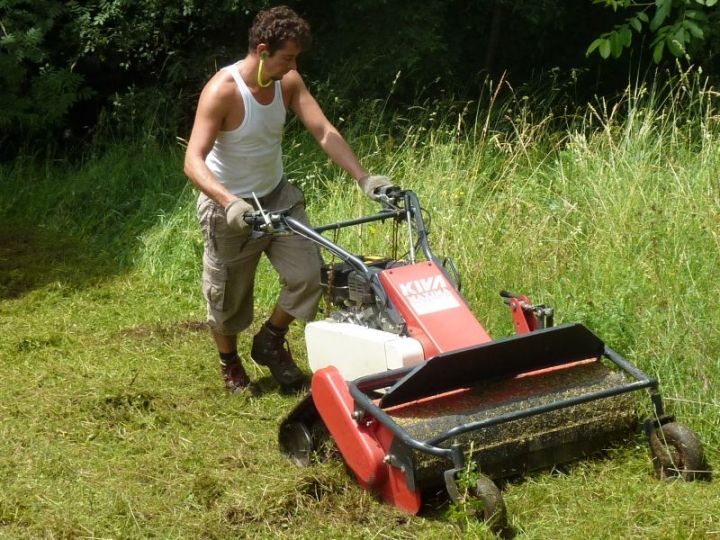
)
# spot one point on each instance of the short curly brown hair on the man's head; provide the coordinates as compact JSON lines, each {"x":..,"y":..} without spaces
{"x":276,"y":26}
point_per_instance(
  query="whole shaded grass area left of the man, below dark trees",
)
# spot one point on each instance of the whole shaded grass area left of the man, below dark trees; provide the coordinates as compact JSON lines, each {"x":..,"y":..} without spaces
{"x":89,"y":221}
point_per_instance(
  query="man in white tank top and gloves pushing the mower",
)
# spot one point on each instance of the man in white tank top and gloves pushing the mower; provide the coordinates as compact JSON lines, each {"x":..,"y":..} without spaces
{"x":234,"y":153}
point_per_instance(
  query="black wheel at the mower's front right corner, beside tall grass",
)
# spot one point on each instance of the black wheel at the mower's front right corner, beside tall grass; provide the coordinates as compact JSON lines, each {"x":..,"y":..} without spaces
{"x":677,"y":452}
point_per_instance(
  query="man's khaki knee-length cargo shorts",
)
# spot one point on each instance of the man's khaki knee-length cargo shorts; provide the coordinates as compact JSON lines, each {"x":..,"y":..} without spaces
{"x":230,"y":261}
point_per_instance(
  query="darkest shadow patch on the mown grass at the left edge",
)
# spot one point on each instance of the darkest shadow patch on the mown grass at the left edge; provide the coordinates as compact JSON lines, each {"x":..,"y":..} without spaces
{"x":32,"y":258}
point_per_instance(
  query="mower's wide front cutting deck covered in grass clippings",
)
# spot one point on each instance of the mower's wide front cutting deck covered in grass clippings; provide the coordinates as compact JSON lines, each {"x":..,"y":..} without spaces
{"x":531,"y":443}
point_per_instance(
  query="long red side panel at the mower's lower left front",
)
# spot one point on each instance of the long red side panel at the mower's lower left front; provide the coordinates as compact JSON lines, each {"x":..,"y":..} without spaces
{"x":356,"y":441}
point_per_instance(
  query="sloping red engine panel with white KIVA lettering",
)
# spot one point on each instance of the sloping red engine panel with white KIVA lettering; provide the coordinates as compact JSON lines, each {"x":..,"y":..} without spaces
{"x":435,"y":313}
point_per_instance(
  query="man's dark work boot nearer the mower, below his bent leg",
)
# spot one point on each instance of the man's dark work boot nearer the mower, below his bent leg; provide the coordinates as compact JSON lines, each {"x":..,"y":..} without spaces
{"x":270,"y":349}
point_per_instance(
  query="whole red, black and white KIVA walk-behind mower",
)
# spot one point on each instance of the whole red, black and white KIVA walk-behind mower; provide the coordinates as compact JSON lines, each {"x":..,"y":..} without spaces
{"x":412,"y":389}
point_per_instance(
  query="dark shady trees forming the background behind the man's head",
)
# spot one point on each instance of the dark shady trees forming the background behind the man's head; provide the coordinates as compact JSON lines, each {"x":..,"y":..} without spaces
{"x":72,"y":70}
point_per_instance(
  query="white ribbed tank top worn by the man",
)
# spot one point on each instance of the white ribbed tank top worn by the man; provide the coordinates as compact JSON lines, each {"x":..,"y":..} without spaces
{"x":248,"y":159}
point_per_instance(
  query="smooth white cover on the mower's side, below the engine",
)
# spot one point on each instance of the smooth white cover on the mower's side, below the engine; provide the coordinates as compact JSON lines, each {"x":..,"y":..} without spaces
{"x":357,"y":351}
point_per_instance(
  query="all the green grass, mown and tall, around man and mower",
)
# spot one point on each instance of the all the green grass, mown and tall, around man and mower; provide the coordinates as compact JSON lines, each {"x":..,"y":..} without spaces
{"x":114,"y":421}
